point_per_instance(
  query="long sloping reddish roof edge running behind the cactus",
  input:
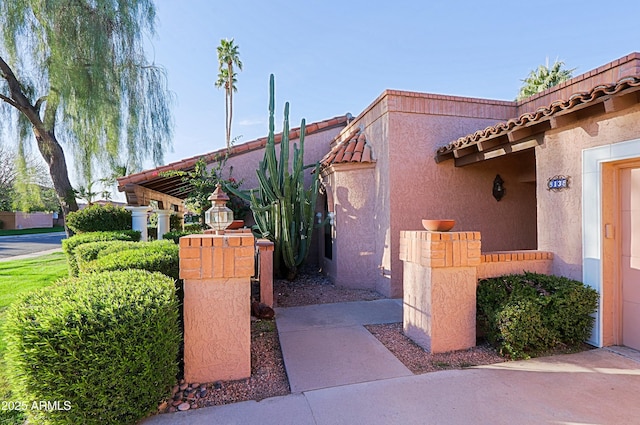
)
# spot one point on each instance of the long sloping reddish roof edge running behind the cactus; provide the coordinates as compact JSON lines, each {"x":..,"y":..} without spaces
{"x":235,"y":150}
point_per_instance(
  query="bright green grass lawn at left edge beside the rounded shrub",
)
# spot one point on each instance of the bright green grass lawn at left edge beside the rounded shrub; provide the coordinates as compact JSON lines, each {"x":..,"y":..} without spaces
{"x":18,"y":277}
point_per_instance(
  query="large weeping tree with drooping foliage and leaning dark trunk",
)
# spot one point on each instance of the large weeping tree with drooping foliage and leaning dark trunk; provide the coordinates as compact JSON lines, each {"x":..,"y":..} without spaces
{"x":74,"y":73}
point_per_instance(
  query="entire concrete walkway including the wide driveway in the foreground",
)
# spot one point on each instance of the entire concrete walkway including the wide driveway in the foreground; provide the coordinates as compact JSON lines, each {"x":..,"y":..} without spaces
{"x":339,"y":375}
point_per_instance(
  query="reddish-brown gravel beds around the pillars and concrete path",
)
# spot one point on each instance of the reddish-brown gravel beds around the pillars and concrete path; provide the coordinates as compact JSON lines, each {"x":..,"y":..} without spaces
{"x":268,"y":376}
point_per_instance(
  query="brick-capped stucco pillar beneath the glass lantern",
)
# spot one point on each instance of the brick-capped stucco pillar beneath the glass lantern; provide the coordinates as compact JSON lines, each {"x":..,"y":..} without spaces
{"x":217,"y":305}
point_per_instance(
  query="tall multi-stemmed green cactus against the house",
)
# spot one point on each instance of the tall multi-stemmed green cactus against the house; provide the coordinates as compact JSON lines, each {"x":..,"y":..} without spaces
{"x":283,"y":208}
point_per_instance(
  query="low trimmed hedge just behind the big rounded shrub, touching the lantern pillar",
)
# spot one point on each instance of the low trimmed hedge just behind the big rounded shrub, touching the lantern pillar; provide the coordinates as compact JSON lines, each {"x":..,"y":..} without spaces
{"x":158,"y":256}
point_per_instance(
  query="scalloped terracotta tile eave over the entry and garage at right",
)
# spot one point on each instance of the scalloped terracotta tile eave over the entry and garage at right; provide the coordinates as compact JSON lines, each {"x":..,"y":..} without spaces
{"x":527,"y":119}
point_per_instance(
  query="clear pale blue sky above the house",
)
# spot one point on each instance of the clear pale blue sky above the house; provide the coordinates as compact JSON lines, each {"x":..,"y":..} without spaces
{"x":332,"y":57}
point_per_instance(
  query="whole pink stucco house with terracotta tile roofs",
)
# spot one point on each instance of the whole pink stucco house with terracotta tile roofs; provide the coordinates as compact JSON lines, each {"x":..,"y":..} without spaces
{"x":569,"y":160}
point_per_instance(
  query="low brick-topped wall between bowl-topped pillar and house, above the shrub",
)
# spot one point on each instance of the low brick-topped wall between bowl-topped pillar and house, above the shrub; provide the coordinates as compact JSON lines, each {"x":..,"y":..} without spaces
{"x":494,"y":264}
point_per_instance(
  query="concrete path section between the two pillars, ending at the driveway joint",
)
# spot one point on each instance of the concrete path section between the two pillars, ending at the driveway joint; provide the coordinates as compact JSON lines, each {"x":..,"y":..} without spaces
{"x":327,"y":345}
